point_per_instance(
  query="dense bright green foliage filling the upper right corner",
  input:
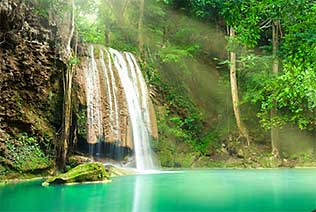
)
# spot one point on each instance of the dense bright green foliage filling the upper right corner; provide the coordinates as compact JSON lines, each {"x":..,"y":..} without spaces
{"x":293,"y":89}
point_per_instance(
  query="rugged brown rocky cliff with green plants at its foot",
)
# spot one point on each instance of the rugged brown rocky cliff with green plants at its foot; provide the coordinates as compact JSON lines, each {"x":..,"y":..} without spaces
{"x":30,"y":88}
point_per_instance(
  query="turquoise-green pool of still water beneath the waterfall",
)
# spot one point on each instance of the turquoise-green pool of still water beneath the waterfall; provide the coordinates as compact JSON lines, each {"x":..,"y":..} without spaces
{"x":207,"y":190}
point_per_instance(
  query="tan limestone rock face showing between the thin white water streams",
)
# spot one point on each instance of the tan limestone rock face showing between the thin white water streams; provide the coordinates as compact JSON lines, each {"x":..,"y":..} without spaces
{"x":111,"y":133}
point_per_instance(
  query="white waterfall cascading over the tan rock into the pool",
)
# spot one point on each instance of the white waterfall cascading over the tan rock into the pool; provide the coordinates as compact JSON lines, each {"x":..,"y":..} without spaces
{"x":118,"y":111}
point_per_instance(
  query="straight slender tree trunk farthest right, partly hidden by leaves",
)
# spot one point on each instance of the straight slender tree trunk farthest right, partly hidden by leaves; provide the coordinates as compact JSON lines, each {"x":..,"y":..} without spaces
{"x":275,"y":69}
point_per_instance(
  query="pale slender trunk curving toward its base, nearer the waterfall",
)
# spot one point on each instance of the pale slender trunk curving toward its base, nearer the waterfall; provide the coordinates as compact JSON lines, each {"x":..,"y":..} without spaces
{"x":234,"y":91}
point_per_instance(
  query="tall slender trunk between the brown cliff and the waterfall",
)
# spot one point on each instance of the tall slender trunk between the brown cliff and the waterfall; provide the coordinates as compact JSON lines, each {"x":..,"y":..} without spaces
{"x":65,"y":140}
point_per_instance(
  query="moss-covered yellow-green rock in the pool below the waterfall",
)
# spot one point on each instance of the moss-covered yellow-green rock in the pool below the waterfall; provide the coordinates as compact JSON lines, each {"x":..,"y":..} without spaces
{"x":89,"y":172}
